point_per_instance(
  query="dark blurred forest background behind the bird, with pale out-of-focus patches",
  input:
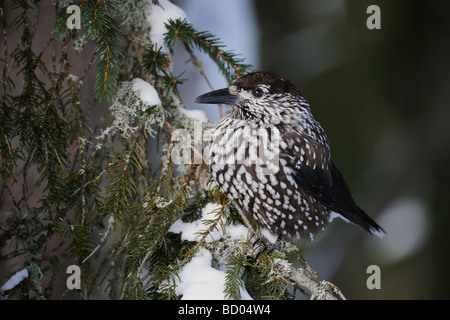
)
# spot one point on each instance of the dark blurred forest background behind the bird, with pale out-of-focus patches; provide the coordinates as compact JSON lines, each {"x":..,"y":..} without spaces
{"x":383,"y":97}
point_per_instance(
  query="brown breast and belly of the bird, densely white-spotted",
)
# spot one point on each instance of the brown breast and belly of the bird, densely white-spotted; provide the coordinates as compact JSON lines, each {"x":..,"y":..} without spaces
{"x":249,"y":164}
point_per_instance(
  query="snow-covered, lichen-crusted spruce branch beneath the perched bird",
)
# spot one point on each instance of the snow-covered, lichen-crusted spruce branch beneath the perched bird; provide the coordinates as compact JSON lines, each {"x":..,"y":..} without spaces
{"x":230,"y":241}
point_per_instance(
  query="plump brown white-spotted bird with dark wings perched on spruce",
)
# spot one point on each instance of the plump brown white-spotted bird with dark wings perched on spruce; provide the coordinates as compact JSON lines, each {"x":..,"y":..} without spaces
{"x":272,"y":158}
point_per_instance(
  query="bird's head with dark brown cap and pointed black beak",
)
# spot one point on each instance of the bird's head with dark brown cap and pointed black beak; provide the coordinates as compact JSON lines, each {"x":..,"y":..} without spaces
{"x":260,"y":96}
